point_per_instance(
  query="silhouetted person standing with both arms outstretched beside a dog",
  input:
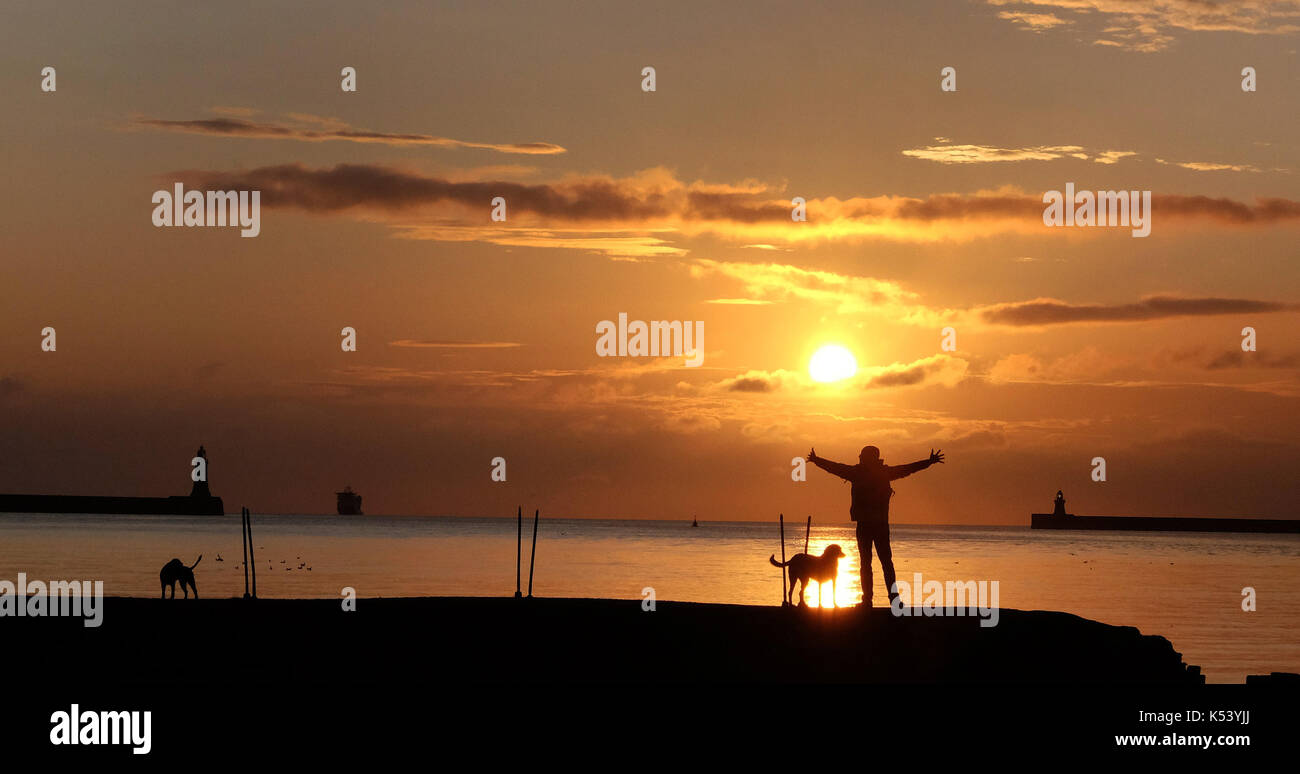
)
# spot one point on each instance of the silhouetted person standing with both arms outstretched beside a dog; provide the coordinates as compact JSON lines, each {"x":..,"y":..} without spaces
{"x":870,"y":507}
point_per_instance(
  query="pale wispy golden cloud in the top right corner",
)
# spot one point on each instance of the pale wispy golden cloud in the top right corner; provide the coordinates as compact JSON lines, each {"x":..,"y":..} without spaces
{"x":1149,"y":27}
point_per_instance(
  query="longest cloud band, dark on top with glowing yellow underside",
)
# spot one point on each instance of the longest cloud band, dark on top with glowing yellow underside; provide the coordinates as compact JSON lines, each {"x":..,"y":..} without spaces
{"x":638,"y":217}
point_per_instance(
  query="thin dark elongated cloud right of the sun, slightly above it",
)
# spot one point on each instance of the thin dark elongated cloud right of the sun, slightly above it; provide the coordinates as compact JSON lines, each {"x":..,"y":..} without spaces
{"x":1050,"y":312}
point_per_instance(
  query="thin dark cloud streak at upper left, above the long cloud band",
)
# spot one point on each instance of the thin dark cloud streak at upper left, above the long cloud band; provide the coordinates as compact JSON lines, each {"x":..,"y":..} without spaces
{"x":235,"y":126}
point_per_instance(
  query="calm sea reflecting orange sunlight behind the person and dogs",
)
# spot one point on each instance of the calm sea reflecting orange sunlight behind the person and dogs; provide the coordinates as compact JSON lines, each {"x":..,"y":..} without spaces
{"x":1182,"y":586}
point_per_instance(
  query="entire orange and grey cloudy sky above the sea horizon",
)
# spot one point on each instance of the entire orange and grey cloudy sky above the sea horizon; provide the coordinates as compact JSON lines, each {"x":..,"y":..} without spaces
{"x":478,"y":339}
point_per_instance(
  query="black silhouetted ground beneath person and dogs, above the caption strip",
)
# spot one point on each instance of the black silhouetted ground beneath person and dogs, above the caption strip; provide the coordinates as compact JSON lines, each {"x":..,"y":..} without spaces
{"x":475,"y":639}
